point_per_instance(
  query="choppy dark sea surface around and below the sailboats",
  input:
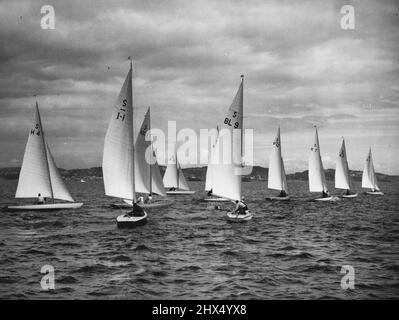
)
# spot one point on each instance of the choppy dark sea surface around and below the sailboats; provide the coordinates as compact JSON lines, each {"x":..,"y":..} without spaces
{"x":289,"y":250}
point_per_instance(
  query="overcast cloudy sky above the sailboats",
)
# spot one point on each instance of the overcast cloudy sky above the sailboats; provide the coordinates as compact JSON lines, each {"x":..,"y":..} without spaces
{"x":301,"y":69}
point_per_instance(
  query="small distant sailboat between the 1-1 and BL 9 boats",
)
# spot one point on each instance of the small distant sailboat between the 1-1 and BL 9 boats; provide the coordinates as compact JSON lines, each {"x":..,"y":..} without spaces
{"x":174,"y":178}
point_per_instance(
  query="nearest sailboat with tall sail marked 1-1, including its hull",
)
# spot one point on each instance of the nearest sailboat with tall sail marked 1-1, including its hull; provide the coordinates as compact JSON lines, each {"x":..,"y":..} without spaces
{"x":119,"y":155}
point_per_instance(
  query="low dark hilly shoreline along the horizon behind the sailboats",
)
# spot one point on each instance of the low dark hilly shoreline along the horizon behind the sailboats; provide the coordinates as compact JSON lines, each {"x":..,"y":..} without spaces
{"x":196,"y":174}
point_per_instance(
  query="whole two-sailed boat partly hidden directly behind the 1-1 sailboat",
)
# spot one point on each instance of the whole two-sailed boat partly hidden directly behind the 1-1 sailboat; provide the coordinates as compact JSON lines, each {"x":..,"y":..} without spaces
{"x":147,"y":173}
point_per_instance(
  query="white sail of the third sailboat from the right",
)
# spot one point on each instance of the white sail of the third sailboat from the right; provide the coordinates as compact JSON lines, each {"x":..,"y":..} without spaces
{"x":317,"y":179}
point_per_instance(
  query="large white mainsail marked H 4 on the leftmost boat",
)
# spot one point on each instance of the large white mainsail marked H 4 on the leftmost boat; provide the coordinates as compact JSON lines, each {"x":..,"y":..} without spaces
{"x":34,"y":175}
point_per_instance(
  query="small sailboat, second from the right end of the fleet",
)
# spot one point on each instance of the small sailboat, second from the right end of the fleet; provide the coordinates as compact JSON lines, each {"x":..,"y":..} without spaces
{"x":342,"y":177}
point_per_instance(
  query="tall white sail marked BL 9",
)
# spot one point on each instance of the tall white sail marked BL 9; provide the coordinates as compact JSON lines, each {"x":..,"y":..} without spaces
{"x":226,"y":169}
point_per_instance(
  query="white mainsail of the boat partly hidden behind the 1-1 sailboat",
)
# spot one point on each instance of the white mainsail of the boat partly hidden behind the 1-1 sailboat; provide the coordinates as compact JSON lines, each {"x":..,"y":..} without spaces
{"x":142,"y":171}
